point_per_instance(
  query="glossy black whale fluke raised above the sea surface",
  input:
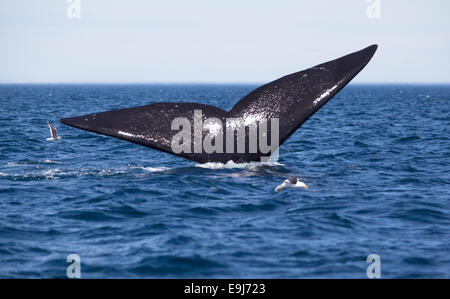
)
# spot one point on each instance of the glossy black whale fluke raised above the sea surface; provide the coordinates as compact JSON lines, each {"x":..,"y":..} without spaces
{"x":291,"y":100}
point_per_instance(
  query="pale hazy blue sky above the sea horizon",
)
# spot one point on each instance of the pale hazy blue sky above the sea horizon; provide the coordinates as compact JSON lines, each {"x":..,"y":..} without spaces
{"x":218,"y":41}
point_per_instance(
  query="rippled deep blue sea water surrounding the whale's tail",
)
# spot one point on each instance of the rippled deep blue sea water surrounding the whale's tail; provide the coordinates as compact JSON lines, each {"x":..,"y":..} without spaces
{"x":376,"y":159}
